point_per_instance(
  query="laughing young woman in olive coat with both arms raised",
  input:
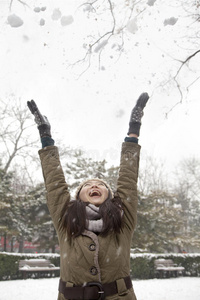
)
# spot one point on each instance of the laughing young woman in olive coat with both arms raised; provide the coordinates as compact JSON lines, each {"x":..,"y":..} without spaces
{"x":95,"y":229}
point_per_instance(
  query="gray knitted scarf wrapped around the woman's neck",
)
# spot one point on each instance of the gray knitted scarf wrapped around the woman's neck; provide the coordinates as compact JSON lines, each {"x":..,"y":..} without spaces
{"x":94,"y":221}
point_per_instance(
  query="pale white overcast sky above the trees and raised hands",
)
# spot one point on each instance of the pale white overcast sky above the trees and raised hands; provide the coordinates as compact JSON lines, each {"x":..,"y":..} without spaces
{"x":92,"y":111}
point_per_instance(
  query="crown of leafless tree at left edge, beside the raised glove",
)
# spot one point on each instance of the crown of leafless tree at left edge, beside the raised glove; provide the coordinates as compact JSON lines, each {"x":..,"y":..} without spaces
{"x":15,"y":138}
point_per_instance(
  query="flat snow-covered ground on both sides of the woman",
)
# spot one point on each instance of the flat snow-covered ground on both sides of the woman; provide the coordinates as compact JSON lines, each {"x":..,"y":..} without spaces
{"x":182,"y":288}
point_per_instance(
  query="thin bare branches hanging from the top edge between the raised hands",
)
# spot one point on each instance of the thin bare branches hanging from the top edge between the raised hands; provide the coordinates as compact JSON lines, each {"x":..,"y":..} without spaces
{"x":110,"y":20}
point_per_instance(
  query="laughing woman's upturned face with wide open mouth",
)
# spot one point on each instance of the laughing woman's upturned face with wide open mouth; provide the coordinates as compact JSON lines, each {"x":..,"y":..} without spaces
{"x":94,"y":192}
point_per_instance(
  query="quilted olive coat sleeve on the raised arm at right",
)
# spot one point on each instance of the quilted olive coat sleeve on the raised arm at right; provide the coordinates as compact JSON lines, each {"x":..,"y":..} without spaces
{"x":127,"y":182}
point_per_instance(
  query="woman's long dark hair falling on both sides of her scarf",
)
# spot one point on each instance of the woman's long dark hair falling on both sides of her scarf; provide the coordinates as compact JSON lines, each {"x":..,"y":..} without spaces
{"x":74,"y":216}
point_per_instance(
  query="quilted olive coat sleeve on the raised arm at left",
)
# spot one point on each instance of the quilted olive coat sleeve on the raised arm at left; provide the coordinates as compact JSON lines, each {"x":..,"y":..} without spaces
{"x":56,"y":186}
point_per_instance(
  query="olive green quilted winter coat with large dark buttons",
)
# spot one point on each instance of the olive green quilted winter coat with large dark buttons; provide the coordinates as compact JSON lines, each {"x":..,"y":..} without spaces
{"x":90,"y":257}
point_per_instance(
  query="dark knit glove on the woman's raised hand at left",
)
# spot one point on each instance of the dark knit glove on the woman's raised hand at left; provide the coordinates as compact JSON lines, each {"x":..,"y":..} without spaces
{"x":43,"y":124}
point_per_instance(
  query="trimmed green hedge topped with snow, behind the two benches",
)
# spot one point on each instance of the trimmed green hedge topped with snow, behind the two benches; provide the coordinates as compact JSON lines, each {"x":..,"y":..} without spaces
{"x":142,"y":265}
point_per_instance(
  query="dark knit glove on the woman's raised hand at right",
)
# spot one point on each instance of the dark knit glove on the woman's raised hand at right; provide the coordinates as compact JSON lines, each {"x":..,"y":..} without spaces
{"x":137,"y":114}
